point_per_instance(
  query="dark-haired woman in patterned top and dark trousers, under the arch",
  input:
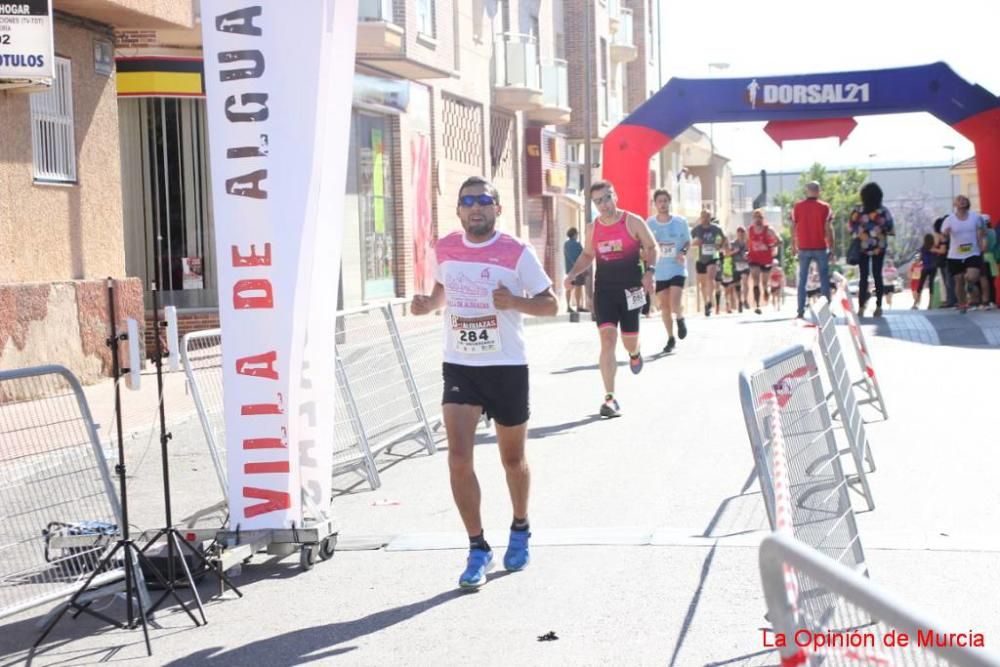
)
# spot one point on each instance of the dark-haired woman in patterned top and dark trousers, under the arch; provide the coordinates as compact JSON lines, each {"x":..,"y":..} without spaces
{"x":872,"y":224}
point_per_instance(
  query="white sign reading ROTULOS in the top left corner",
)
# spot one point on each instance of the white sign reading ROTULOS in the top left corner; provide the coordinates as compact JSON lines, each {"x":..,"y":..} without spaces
{"x":26,"y":50}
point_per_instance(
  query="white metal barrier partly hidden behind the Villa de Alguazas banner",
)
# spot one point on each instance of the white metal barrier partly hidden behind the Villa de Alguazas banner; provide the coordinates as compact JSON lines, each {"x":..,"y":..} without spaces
{"x":201,"y":353}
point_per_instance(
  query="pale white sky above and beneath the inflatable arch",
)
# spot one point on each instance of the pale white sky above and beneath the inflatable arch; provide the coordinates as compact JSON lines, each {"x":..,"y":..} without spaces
{"x":784,"y":37}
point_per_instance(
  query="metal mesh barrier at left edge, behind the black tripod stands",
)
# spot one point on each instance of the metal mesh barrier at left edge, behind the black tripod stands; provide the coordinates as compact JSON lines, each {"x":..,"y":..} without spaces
{"x":59,"y":506}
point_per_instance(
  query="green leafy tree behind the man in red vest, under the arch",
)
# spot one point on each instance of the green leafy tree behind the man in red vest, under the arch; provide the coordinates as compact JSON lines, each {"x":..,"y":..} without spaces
{"x":840,"y":190}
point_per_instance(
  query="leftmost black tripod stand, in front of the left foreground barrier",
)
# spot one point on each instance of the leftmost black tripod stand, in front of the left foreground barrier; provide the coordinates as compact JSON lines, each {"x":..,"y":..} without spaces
{"x":131,"y":553}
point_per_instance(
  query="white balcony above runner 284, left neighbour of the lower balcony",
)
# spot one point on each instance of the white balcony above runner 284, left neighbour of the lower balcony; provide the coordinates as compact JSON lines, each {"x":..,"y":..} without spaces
{"x":517,"y":74}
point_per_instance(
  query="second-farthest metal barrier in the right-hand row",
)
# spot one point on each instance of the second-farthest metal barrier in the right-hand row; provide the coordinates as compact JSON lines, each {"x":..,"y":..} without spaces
{"x":843,"y":394}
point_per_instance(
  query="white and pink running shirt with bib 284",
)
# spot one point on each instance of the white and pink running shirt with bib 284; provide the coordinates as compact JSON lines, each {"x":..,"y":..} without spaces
{"x":475,"y":332}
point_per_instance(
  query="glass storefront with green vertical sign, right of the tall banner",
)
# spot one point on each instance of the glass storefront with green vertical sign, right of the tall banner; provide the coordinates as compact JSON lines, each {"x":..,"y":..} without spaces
{"x":375,"y":204}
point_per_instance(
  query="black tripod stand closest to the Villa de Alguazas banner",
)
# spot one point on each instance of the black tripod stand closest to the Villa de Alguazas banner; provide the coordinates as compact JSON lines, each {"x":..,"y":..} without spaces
{"x":176,"y":543}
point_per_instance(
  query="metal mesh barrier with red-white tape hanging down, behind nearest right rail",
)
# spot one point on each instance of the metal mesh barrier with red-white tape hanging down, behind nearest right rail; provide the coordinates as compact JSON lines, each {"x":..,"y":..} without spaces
{"x":784,"y":395}
